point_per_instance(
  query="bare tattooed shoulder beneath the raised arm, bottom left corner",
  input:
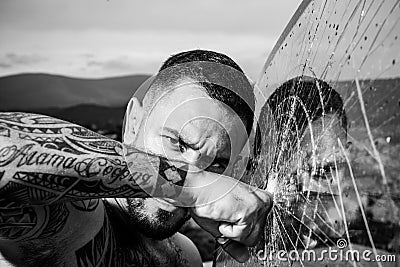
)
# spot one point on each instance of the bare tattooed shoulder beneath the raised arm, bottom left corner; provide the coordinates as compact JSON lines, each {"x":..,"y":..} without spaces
{"x":48,"y":235}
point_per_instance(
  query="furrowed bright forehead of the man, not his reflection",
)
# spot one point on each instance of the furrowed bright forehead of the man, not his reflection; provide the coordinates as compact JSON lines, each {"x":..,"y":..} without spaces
{"x":191,"y":112}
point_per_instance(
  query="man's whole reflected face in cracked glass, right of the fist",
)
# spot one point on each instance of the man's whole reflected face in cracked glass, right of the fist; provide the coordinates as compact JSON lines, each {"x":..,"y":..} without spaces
{"x":312,"y":175}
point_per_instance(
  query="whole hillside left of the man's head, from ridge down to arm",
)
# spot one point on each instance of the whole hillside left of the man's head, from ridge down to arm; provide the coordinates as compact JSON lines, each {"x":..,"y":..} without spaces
{"x":98,"y":104}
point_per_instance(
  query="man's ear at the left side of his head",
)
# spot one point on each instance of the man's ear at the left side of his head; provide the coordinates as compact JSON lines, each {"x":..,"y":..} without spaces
{"x":132,"y":120}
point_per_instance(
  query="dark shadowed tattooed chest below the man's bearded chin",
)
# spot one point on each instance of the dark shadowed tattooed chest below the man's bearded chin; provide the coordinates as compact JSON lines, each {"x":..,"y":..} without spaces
{"x":106,"y":248}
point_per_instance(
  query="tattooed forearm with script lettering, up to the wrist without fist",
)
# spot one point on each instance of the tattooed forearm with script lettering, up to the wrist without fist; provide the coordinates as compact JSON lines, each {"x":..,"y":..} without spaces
{"x":44,"y":160}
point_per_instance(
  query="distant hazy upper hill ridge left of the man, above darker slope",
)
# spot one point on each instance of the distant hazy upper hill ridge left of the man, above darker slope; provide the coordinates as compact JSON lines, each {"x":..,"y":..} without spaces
{"x":30,"y":92}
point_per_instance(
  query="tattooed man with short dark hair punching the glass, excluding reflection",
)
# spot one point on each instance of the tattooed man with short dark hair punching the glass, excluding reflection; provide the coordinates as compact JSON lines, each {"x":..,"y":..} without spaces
{"x":68,"y":197}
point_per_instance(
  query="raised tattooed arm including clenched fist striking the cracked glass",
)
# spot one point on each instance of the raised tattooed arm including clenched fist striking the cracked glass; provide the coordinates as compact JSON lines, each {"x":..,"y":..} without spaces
{"x":45,"y":160}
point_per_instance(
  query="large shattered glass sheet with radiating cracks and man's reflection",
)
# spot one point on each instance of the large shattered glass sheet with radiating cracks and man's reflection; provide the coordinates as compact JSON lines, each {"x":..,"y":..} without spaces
{"x":354,"y":193}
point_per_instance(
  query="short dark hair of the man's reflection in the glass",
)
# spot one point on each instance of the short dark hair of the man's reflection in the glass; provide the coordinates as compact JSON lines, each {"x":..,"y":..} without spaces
{"x":308,"y":99}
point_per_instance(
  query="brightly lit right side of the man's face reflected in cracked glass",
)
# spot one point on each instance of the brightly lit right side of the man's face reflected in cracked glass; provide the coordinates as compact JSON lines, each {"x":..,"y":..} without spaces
{"x":322,"y":171}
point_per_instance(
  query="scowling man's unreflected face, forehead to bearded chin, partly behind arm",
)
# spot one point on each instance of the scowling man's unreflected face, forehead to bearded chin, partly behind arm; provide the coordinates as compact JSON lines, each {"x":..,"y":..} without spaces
{"x":185,"y":125}
